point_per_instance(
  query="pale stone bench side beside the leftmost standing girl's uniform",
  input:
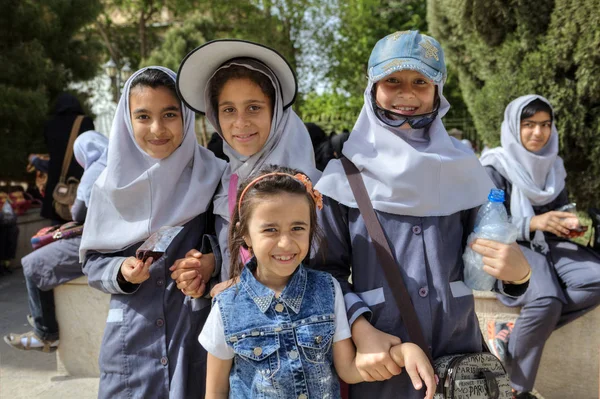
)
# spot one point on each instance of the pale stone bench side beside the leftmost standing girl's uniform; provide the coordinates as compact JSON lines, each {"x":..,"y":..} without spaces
{"x":81,"y":312}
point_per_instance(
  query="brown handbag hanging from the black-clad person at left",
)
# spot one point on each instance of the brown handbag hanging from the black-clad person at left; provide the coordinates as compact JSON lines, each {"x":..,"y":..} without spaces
{"x":65,"y":190}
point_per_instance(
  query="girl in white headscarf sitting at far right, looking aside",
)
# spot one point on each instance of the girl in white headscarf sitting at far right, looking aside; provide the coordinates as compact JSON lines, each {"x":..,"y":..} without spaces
{"x":566,"y":284}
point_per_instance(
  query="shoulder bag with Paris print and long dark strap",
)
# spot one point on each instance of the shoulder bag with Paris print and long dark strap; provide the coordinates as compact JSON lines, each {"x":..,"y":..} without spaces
{"x":461,"y":376}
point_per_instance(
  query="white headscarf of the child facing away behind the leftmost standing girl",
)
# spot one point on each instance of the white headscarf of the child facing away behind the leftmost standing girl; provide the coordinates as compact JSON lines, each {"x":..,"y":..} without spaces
{"x":90,"y":150}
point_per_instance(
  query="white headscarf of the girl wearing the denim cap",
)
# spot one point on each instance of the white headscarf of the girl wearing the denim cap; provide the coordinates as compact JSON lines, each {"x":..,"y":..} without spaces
{"x":421,"y":172}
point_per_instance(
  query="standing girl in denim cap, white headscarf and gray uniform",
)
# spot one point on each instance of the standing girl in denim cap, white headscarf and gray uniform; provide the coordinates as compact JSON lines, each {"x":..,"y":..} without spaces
{"x":424,"y":186}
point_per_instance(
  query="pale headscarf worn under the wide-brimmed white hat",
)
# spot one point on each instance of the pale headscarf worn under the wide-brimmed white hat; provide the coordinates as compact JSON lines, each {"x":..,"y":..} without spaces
{"x":288,"y":143}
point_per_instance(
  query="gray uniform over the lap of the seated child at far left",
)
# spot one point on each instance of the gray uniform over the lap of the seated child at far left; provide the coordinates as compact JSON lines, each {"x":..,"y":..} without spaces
{"x":58,"y":262}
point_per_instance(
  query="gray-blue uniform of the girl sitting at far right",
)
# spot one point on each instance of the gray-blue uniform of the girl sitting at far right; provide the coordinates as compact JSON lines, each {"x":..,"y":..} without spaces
{"x":563,"y":287}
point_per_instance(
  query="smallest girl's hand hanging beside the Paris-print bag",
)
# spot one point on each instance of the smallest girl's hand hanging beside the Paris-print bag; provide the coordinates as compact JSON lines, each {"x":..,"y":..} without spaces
{"x":417,"y":365}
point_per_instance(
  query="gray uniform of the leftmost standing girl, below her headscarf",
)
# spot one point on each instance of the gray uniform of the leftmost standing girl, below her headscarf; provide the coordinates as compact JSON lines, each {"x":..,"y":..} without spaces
{"x":150,"y":347}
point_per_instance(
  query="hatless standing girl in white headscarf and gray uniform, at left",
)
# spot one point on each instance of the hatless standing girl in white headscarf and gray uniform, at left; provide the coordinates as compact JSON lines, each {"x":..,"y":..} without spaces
{"x":157,"y":175}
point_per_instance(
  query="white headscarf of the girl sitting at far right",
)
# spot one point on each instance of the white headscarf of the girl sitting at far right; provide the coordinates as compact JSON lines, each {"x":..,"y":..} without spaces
{"x":537,"y":177}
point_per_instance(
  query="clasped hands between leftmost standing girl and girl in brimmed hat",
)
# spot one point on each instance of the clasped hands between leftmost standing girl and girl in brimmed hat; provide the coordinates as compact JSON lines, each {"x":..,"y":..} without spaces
{"x":192,"y":272}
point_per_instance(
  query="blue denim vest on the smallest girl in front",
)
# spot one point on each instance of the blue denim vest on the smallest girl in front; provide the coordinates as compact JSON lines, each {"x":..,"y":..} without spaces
{"x":283,"y":346}
